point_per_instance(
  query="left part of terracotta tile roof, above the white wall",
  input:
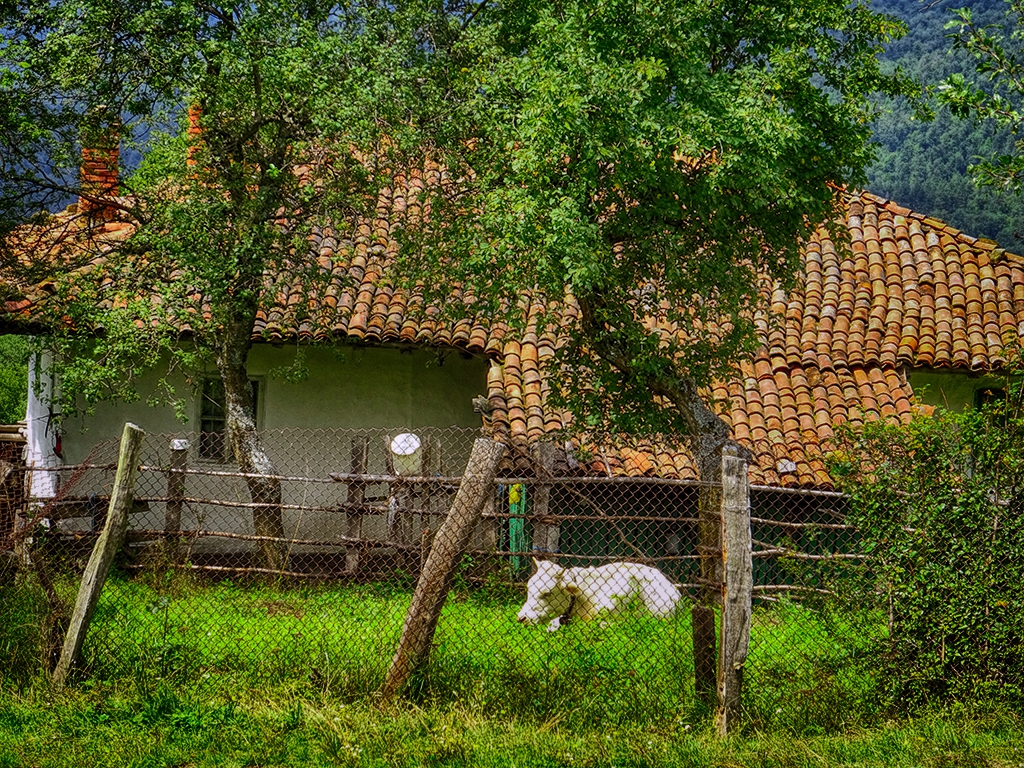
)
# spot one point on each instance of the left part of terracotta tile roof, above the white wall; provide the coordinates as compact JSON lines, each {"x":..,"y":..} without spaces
{"x":355,"y":298}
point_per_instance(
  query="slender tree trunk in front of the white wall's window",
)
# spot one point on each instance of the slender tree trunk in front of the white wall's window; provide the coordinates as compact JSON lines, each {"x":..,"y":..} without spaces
{"x":247,"y":445}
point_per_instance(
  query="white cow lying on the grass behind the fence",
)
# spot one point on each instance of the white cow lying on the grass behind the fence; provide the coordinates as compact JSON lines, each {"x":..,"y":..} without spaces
{"x":556,"y":595}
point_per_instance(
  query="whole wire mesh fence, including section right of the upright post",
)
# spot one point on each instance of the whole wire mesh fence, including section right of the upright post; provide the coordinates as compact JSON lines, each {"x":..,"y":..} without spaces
{"x":570,"y":592}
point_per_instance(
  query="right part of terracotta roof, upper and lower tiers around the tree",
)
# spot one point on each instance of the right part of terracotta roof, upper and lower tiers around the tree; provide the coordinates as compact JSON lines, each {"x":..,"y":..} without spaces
{"x":907,"y":291}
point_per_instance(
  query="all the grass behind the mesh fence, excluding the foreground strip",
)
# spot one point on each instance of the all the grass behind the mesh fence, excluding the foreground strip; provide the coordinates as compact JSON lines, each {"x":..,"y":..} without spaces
{"x":803,"y":676}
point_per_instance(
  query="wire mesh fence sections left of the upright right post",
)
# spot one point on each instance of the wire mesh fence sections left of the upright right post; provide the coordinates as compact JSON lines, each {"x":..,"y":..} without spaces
{"x":192,"y":598}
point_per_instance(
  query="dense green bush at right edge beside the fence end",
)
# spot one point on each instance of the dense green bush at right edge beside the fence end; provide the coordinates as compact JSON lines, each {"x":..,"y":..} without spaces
{"x":940,"y":505}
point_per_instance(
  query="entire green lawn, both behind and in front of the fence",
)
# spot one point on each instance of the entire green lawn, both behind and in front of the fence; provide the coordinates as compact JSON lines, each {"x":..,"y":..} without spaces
{"x":184,"y":673}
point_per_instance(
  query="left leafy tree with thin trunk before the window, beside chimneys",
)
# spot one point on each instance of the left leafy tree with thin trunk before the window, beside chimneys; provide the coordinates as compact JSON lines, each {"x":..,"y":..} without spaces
{"x":284,"y":98}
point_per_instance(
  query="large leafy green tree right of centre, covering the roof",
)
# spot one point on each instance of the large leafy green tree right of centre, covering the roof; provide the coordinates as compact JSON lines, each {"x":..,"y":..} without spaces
{"x":655,"y":162}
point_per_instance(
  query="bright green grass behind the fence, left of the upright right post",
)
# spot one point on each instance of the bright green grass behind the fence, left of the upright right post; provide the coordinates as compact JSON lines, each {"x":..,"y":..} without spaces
{"x":340,"y":639}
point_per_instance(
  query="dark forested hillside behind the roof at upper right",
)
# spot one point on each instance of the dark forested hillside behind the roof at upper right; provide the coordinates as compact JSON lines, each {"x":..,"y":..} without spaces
{"x":924,"y":165}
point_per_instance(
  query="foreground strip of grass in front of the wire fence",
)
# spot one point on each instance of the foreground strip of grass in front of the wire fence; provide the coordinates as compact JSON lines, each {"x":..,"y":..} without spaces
{"x":103,"y":724}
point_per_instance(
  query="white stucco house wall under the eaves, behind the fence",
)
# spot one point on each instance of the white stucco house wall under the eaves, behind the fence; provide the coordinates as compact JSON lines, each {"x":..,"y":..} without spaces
{"x":310,"y":429}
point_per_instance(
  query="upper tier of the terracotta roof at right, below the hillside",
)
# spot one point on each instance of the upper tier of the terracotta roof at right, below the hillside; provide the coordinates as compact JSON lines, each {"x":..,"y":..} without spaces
{"x":909,"y":290}
